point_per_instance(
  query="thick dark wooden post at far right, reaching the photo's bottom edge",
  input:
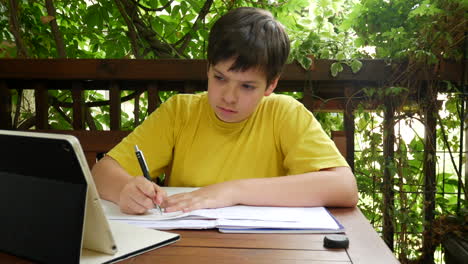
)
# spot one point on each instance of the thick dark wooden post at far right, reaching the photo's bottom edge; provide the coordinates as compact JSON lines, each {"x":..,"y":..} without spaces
{"x":429,"y":169}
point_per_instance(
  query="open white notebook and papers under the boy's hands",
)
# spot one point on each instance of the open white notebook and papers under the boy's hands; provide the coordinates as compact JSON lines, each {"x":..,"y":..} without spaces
{"x":239,"y":219}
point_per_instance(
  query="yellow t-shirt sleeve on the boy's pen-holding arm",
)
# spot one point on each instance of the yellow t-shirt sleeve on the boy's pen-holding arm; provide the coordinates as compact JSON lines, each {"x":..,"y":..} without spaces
{"x":154,"y":137}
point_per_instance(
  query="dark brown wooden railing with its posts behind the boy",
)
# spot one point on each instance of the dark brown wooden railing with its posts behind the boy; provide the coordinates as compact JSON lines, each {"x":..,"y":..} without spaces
{"x":321,"y":92}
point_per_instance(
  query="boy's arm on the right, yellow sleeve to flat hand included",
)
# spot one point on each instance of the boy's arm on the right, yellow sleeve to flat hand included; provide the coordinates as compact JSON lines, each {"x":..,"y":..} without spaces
{"x":318,"y":175}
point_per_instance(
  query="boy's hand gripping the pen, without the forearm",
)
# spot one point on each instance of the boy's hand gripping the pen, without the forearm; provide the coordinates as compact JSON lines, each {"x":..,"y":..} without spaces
{"x":139,"y":195}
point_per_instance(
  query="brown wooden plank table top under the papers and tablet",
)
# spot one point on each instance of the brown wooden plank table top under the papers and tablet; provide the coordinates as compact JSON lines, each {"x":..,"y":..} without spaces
{"x":211,"y":246}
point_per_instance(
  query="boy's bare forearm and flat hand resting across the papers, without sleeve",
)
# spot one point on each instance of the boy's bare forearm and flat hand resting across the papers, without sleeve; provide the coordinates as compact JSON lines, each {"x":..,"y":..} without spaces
{"x":334,"y":187}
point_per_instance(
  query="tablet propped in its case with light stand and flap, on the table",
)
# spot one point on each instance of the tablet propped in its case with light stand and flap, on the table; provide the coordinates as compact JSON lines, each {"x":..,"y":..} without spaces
{"x":51,"y":211}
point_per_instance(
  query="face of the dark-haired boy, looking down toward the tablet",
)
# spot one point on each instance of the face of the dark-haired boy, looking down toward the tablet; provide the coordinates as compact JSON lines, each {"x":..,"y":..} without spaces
{"x":234,"y":95}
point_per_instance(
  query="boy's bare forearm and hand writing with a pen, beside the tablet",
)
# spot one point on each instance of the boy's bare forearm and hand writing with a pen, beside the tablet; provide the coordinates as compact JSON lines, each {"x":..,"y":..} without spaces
{"x":134,"y":195}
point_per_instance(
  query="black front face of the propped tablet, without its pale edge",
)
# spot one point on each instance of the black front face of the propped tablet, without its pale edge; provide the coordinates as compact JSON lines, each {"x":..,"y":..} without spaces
{"x":42,"y":199}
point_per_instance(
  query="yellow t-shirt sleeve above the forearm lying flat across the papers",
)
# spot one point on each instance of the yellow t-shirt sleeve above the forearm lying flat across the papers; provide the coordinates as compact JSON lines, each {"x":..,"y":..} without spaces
{"x":305,"y":146}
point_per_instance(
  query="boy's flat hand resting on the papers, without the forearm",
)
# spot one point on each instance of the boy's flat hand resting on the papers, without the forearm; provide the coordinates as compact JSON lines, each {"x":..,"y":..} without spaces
{"x":213,"y":196}
